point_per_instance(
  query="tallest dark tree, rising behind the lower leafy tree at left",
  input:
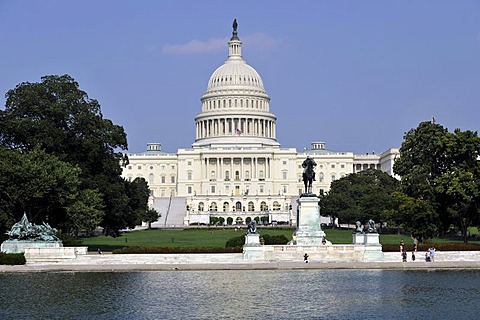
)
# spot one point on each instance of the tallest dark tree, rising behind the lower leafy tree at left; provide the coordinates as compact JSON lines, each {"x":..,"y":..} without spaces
{"x":63,"y":121}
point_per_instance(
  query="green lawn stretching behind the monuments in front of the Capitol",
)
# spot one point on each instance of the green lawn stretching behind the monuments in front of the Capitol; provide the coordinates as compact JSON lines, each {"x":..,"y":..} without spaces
{"x":217,"y":237}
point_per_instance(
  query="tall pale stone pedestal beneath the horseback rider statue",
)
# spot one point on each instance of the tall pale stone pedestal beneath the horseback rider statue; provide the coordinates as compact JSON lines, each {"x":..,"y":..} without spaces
{"x":309,"y":231}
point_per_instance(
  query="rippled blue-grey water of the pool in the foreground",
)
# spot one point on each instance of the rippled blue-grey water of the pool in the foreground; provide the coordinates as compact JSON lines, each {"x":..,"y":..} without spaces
{"x":243,"y":294}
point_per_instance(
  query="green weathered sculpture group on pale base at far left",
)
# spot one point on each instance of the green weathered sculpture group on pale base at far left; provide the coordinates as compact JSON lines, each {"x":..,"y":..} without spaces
{"x":27,"y":235}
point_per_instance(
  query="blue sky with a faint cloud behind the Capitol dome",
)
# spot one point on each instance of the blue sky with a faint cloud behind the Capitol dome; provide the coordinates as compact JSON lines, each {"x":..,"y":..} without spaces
{"x":355,"y":74}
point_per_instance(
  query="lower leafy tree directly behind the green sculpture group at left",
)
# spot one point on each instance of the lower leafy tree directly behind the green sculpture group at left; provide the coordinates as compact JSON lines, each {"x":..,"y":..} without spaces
{"x":36,"y":183}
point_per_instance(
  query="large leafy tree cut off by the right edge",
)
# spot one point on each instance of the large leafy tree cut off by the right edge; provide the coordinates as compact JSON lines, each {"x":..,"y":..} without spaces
{"x":442,"y":168}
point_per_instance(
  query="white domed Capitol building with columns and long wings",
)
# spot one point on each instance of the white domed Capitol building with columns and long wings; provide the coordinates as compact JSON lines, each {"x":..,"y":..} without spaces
{"x":236,"y":170}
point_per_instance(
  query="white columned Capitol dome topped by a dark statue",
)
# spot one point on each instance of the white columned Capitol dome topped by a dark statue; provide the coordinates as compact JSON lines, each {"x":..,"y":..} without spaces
{"x":235,"y":107}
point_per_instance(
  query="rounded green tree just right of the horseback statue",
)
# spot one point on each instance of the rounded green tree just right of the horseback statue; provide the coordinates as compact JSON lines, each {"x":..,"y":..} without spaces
{"x":359,"y":196}
